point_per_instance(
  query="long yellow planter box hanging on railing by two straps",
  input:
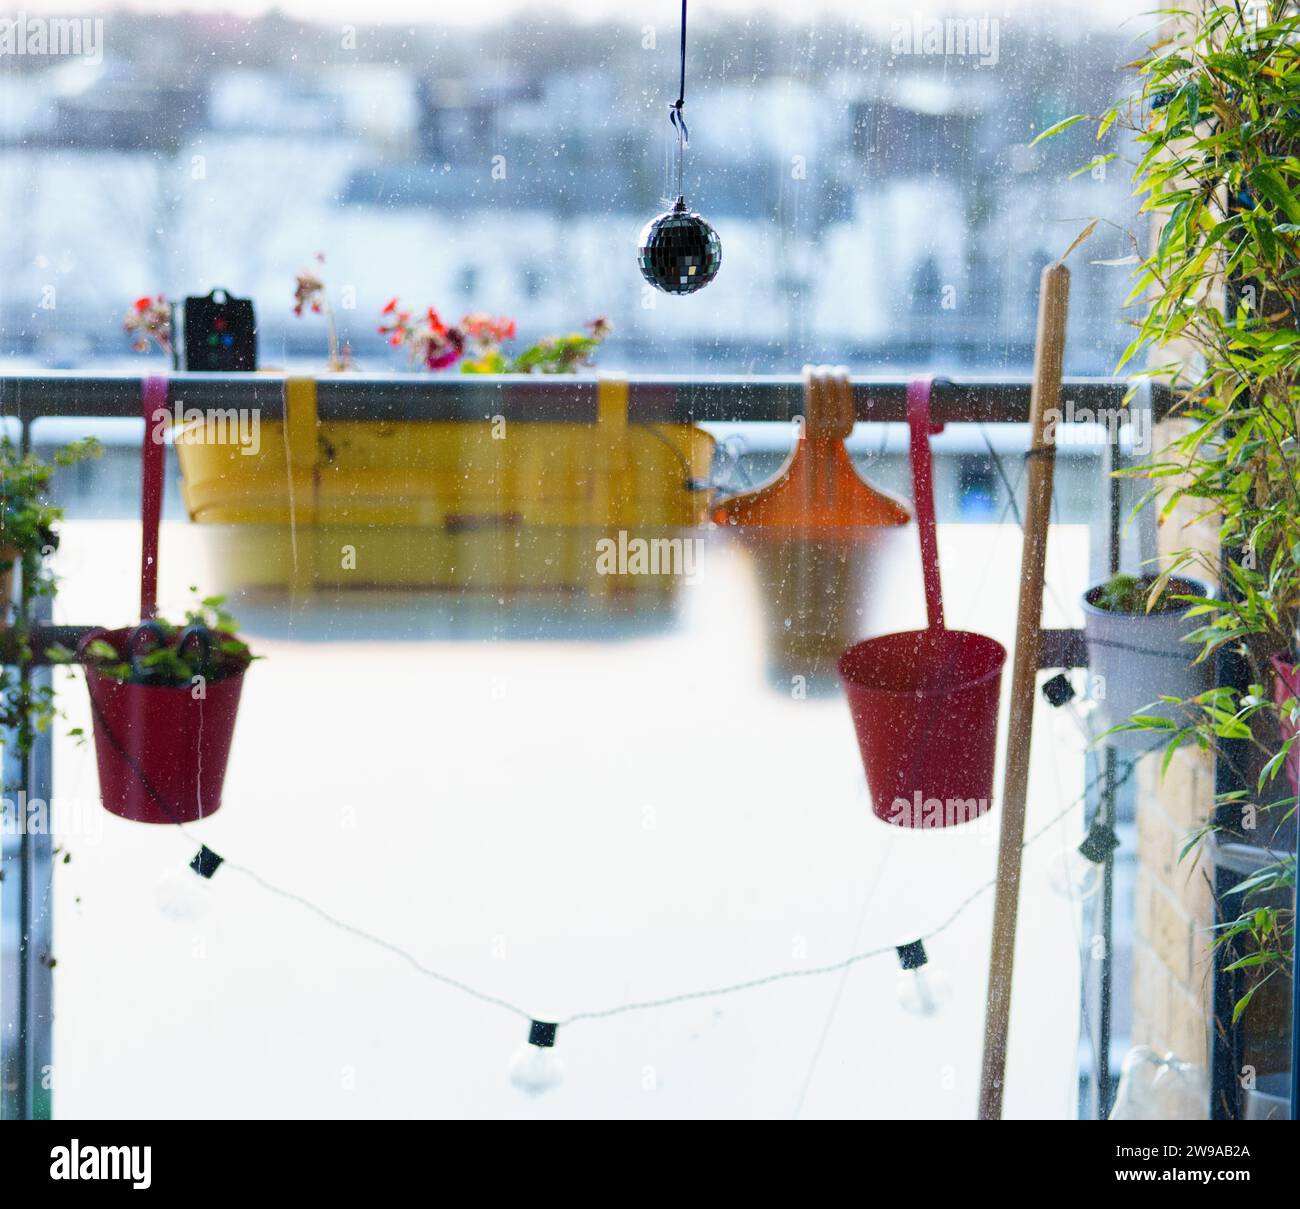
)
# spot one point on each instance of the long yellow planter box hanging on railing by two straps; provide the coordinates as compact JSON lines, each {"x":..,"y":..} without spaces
{"x":441,"y":505}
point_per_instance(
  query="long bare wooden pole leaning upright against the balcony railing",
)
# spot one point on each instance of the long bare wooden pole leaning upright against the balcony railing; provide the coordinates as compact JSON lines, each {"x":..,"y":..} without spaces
{"x":1054,"y":298}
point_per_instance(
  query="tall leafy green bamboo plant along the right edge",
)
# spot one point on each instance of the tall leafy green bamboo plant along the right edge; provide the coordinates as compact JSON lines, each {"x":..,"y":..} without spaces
{"x":1215,"y":120}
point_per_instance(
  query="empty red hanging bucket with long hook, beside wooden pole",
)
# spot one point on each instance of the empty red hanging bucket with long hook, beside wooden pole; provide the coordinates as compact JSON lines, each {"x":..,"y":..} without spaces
{"x":925,"y":703}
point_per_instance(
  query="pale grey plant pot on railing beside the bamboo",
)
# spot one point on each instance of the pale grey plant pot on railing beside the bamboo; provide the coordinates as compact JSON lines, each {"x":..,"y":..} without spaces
{"x":1134,"y":658}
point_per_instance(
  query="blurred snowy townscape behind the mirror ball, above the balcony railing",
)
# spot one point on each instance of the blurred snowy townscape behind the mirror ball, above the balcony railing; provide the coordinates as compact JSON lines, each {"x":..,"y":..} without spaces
{"x":873,"y":206}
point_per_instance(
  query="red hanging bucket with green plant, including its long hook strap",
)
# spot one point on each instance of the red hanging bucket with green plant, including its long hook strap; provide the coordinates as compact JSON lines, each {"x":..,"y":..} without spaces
{"x":163,"y":725}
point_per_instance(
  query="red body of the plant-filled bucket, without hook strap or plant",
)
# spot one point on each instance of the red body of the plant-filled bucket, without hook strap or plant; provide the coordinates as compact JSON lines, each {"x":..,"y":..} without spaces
{"x":162,"y":751}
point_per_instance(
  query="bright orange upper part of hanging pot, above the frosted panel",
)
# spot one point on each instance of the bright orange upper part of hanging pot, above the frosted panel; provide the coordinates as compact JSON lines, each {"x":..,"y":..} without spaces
{"x":818,"y":488}
